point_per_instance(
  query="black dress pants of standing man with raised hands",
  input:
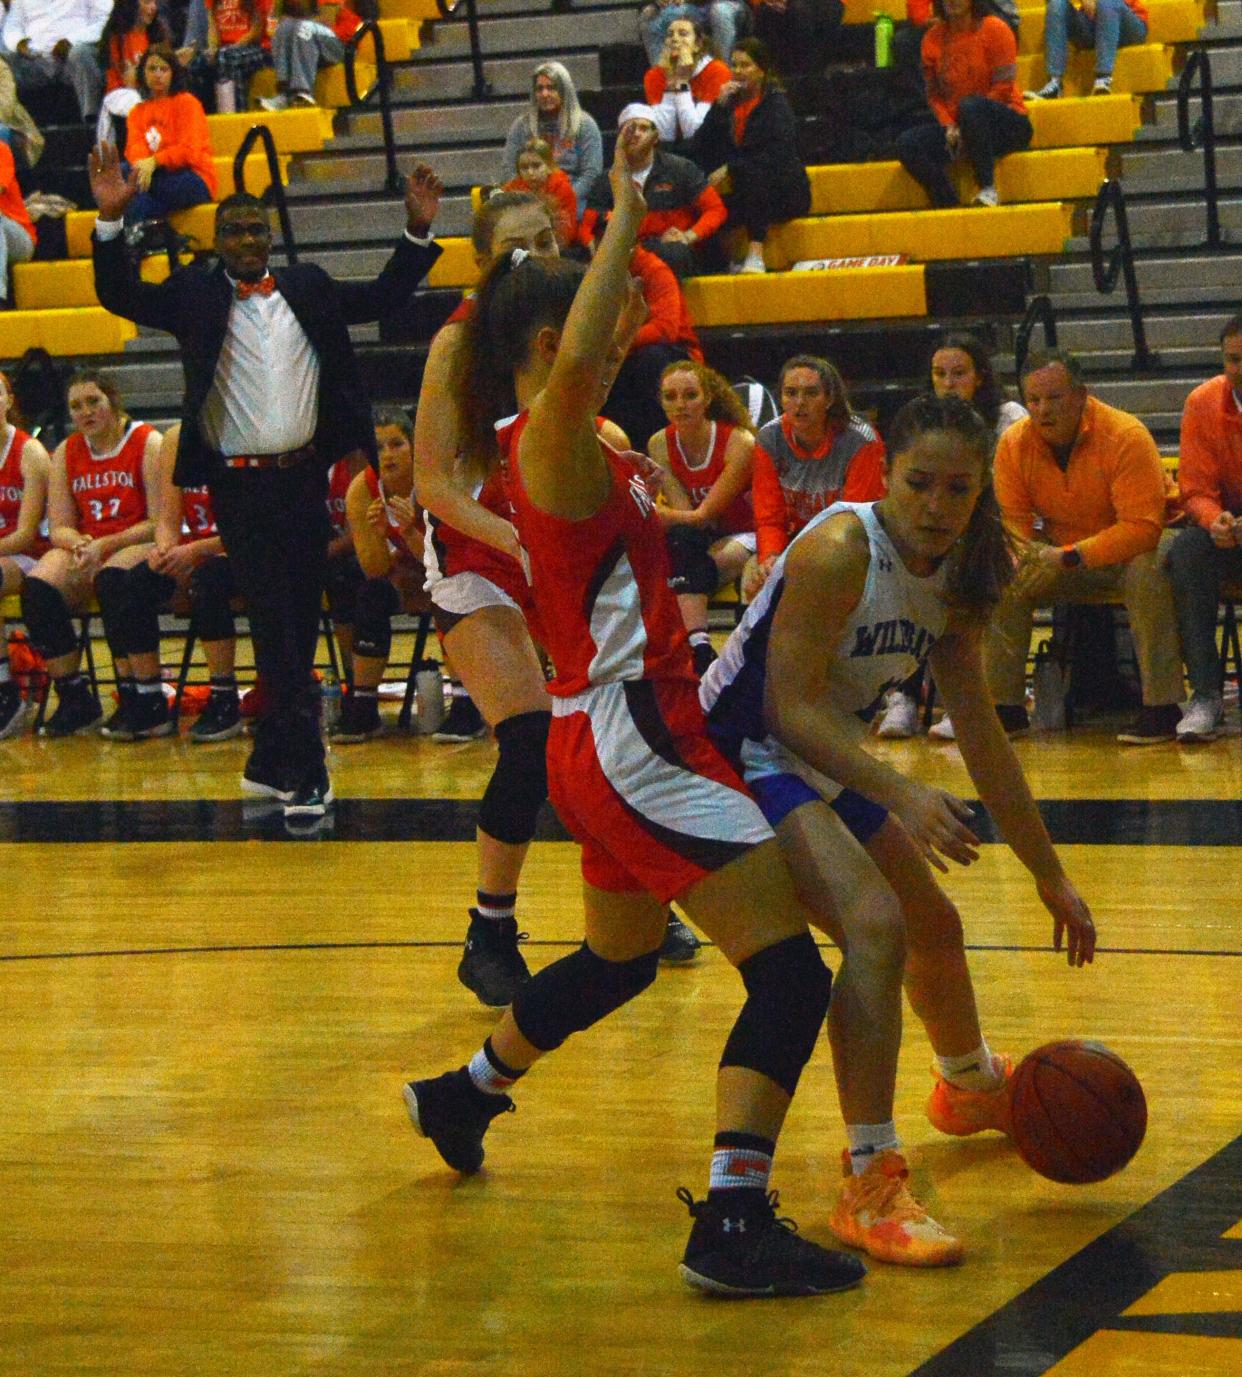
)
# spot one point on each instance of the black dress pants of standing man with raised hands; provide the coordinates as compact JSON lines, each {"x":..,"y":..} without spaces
{"x":275,"y":527}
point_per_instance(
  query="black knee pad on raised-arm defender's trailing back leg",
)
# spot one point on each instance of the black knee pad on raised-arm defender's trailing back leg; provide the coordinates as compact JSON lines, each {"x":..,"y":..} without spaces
{"x":576,"y":992}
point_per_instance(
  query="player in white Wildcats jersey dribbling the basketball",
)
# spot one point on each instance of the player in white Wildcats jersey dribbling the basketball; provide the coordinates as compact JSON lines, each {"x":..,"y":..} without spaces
{"x":861,"y":598}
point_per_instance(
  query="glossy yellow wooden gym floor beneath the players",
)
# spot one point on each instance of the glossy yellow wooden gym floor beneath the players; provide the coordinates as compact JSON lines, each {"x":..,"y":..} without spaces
{"x":206,"y":1167}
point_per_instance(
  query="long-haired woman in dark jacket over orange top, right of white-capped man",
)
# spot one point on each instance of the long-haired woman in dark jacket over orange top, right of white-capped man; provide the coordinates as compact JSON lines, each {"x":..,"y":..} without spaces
{"x":750,"y":138}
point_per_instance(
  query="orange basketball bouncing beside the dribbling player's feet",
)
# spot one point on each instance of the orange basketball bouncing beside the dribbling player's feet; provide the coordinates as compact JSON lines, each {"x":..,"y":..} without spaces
{"x":1079,"y":1112}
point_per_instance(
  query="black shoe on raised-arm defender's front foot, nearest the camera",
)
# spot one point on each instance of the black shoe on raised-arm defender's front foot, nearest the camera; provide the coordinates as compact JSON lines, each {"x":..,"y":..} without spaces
{"x":741,"y":1248}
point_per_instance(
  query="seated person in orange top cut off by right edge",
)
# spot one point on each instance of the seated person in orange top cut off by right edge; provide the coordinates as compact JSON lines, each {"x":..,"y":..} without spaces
{"x":1208,"y":551}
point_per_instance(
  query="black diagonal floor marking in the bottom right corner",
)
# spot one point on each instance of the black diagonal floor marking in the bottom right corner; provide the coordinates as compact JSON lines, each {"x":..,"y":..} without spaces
{"x":1179,"y":1232}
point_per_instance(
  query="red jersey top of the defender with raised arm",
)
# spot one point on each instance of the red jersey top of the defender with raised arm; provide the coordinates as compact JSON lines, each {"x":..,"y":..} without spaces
{"x":601,"y":586}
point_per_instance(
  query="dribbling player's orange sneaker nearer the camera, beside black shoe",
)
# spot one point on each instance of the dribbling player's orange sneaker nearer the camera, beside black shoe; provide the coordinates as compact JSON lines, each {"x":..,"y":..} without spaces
{"x":878,"y":1214}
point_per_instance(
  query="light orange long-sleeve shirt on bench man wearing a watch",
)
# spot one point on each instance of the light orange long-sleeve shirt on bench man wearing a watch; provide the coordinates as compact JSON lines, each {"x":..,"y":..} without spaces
{"x":1111,"y":498}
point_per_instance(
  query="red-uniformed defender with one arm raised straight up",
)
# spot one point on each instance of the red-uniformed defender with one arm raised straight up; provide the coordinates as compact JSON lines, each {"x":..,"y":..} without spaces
{"x":657,"y":812}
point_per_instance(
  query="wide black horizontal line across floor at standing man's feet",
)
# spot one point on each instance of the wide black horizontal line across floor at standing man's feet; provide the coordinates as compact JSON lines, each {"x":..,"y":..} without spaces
{"x":1189,"y":823}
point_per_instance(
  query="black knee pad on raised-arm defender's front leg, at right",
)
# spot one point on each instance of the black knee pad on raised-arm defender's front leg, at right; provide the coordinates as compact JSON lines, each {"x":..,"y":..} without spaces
{"x":788,"y":989}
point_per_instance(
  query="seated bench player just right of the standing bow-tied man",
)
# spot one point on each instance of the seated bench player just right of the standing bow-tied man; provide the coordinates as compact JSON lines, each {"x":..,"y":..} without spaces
{"x":389,"y":539}
